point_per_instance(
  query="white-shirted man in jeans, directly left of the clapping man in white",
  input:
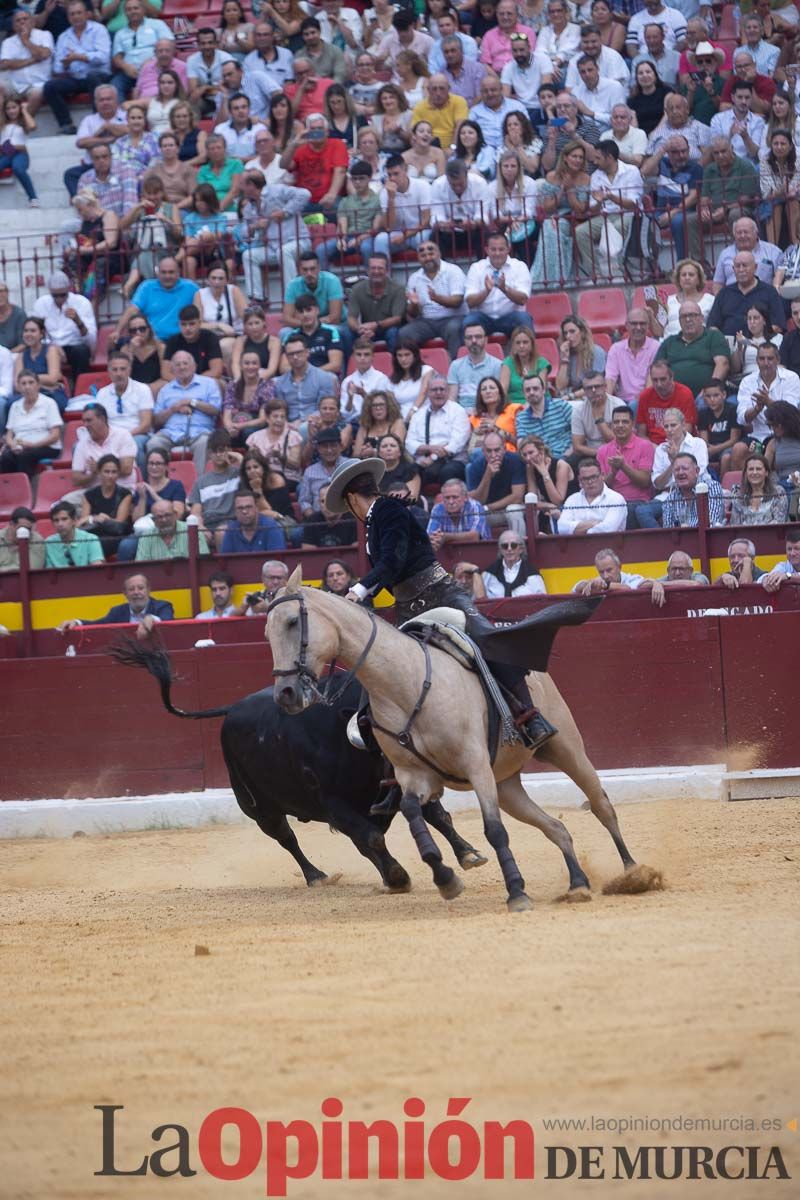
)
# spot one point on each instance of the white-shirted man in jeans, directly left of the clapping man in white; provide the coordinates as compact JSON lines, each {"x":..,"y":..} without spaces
{"x":436,"y":301}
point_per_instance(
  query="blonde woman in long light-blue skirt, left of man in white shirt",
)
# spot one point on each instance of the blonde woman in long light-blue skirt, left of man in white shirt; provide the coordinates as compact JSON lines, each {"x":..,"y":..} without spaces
{"x":563,"y":196}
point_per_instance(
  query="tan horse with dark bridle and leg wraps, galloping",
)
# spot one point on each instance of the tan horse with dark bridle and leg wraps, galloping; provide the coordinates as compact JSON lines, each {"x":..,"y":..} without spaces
{"x":448,"y":743}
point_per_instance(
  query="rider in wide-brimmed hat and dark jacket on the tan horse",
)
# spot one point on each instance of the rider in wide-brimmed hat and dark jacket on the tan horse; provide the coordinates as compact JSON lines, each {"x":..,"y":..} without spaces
{"x":405,"y":563}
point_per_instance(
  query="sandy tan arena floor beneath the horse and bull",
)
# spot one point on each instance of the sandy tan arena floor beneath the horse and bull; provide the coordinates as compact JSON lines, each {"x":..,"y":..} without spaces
{"x":677,"y":1003}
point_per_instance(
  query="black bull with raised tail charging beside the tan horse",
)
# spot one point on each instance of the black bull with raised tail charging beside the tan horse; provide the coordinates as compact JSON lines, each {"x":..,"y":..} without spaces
{"x":303,"y":767}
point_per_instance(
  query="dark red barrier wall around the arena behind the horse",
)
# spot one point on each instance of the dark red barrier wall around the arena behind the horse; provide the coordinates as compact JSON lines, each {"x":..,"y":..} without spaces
{"x":646,"y":688}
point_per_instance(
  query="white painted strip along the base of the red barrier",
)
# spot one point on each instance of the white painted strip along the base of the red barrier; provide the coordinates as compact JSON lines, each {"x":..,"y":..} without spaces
{"x":185,"y":811}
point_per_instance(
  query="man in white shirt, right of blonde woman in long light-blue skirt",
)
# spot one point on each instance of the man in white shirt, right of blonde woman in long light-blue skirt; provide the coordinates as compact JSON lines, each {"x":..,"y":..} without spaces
{"x":616,"y":195}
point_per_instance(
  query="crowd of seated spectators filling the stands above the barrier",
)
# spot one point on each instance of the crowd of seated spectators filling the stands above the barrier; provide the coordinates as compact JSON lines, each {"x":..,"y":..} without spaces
{"x":310,"y":154}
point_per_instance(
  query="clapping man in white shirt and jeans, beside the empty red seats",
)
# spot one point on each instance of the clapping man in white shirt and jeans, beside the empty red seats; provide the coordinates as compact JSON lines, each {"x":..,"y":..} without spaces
{"x":498,"y":289}
